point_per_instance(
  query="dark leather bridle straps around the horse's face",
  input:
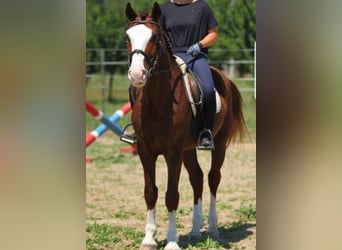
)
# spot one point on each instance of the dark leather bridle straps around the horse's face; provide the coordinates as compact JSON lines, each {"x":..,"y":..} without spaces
{"x":152,"y":61}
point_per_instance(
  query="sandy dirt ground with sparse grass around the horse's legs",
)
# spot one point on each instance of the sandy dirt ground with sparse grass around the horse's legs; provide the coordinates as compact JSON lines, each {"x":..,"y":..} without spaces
{"x":115,"y":187}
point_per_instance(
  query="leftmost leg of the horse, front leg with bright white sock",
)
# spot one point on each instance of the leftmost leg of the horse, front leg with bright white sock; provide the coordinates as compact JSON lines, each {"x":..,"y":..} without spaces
{"x":151,"y":195}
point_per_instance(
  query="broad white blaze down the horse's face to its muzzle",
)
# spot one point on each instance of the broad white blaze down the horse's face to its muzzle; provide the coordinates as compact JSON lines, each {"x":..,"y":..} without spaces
{"x":139,"y":36}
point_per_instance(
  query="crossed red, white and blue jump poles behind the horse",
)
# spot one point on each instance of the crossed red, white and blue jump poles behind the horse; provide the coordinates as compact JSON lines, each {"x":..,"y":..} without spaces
{"x":111,"y":122}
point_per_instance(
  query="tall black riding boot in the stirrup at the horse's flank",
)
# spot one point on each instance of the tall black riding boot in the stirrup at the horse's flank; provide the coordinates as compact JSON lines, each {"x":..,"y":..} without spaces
{"x":206,"y":139}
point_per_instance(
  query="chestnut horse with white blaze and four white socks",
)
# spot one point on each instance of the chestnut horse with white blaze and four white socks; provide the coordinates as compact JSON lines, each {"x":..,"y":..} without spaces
{"x":165,"y":125}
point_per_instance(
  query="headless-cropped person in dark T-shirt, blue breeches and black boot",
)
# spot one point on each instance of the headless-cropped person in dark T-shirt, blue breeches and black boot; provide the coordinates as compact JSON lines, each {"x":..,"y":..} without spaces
{"x":192,"y":28}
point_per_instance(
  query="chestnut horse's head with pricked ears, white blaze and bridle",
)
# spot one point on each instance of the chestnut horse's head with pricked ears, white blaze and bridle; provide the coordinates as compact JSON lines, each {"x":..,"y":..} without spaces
{"x":143,"y":43}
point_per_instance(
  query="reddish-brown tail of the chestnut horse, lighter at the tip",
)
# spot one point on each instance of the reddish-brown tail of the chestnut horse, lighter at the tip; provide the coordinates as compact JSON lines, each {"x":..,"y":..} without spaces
{"x":238,"y":123}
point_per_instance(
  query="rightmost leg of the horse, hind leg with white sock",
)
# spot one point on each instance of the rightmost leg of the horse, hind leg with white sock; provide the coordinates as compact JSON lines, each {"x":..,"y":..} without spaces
{"x":214,"y":178}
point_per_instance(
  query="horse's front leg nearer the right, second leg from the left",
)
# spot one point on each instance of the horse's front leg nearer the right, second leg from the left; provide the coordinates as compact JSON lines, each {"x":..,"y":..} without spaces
{"x":174,"y":164}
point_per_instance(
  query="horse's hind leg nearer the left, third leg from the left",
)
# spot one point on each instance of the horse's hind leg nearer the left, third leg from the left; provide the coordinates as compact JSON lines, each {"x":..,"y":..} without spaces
{"x":196,"y":180}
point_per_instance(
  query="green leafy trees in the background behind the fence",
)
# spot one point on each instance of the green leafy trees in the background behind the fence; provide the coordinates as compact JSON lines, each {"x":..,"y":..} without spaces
{"x":106,"y":24}
